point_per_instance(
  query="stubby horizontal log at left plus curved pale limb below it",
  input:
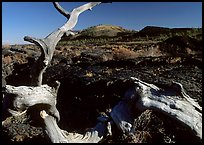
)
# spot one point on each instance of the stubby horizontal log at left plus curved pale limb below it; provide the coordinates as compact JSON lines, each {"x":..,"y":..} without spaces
{"x":25,"y":97}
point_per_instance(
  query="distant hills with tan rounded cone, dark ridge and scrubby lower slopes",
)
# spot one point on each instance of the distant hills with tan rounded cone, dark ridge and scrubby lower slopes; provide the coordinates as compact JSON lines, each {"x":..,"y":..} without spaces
{"x":118,"y":33}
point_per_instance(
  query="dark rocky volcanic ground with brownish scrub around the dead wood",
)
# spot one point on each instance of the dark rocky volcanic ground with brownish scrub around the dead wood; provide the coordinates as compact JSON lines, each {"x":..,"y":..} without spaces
{"x":95,"y":76}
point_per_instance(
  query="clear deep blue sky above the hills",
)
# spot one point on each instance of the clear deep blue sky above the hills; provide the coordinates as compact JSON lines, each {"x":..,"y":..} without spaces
{"x":38,"y":19}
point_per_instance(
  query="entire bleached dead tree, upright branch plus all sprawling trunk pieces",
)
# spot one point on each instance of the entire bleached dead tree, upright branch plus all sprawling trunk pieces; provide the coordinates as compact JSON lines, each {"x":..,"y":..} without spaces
{"x":173,"y":102}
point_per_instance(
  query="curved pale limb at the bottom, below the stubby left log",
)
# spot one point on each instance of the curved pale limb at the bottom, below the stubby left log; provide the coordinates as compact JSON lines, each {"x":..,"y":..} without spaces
{"x":57,"y":135}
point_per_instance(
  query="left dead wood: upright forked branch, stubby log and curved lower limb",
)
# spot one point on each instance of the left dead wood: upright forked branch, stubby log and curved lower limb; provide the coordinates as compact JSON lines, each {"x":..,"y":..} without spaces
{"x":24,"y":97}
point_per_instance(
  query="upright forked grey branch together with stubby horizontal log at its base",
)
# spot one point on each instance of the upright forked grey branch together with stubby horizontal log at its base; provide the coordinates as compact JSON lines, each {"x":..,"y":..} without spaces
{"x":47,"y":46}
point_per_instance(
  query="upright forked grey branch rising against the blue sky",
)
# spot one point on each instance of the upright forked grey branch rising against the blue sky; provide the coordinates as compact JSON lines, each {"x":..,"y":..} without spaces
{"x":48,"y":44}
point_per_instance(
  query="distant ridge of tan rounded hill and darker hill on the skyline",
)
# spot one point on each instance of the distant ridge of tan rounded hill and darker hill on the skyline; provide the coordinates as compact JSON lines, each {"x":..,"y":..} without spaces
{"x":107,"y":30}
